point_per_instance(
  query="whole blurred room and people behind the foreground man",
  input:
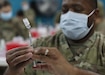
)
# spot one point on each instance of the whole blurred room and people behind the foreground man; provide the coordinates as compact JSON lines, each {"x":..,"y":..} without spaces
{"x":44,"y":17}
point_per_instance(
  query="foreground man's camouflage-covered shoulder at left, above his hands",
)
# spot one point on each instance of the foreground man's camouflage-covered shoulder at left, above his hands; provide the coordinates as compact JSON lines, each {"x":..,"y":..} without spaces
{"x":50,"y":40}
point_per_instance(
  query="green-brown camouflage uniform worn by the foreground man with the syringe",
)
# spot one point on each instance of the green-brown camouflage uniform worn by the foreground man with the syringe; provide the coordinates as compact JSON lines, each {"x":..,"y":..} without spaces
{"x":89,"y":55}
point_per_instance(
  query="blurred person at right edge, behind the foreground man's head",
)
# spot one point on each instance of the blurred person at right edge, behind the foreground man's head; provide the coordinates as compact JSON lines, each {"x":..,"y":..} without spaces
{"x":100,"y":22}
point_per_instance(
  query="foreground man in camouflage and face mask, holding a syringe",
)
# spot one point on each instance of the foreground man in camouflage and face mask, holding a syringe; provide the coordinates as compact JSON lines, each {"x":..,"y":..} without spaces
{"x":76,"y":50}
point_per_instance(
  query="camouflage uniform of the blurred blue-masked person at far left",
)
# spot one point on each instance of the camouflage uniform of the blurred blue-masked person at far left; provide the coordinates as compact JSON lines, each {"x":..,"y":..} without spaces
{"x":7,"y":31}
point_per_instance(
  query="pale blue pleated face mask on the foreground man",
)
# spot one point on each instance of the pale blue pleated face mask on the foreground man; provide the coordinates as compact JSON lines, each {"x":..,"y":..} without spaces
{"x":74,"y":25}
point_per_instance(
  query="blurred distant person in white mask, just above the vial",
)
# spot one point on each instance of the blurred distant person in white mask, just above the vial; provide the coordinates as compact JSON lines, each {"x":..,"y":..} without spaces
{"x":28,"y":12}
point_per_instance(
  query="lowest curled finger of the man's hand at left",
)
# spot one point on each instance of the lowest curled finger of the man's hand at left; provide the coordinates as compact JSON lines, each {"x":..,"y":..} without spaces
{"x":21,"y":59}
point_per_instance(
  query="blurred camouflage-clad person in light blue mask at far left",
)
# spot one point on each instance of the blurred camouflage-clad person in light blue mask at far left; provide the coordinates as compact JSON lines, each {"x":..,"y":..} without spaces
{"x":6,"y":23}
